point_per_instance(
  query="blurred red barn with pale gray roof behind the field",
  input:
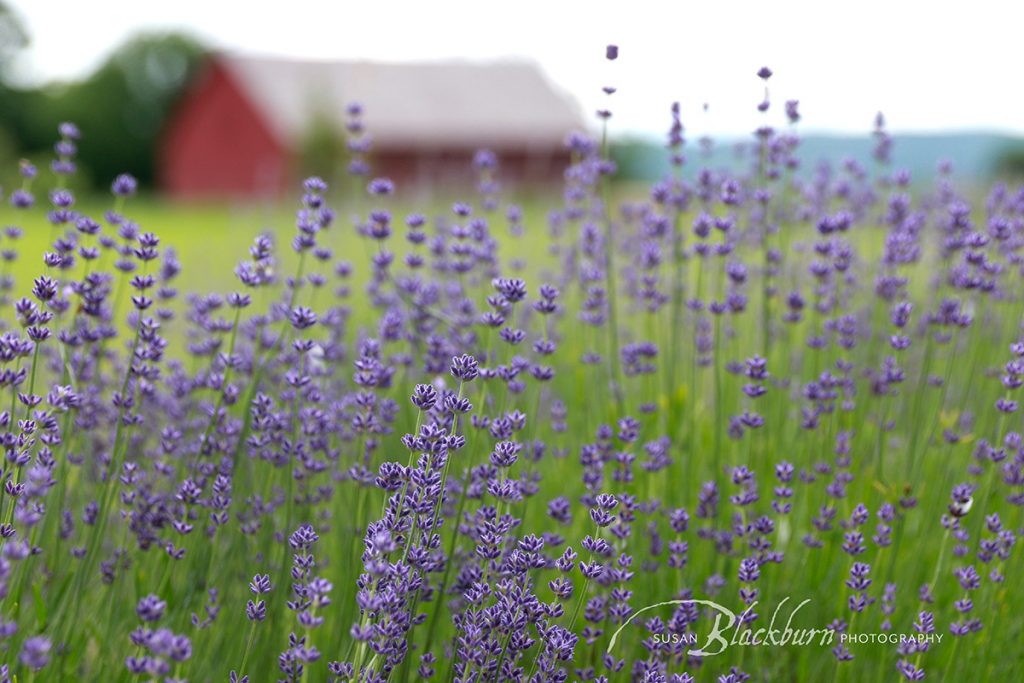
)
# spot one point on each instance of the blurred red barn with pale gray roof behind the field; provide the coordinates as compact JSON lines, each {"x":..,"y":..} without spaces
{"x":239,"y":130}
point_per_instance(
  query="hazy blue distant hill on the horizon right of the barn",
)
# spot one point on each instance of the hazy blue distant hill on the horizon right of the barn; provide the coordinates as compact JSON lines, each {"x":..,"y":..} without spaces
{"x":974,"y":156}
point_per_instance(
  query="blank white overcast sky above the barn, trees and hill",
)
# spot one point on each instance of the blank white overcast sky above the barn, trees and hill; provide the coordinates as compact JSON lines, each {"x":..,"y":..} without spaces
{"x":930,"y":66}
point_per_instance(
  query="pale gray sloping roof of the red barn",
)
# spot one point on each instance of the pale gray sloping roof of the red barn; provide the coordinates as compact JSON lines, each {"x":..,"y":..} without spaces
{"x":423,"y":105}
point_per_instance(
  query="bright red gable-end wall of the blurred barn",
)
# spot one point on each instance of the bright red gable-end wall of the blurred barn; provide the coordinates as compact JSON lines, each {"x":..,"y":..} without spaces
{"x":218,"y":146}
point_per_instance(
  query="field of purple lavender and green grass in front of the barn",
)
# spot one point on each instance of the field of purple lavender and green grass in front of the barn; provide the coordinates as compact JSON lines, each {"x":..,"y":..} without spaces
{"x":747,"y":425}
